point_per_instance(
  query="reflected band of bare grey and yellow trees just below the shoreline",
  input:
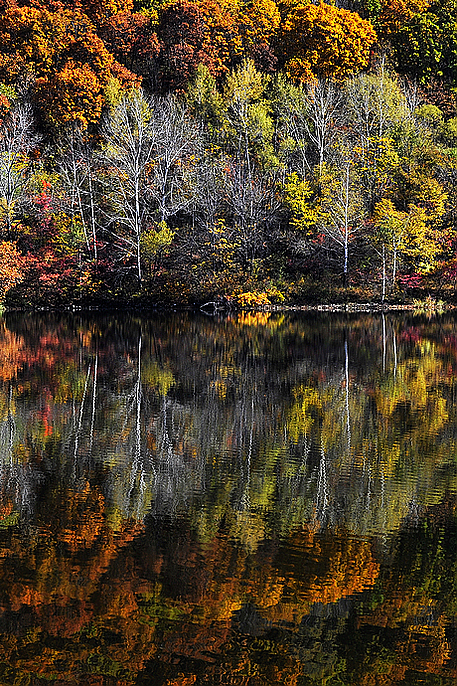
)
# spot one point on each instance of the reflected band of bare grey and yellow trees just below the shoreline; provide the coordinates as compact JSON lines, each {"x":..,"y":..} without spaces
{"x":253,"y":416}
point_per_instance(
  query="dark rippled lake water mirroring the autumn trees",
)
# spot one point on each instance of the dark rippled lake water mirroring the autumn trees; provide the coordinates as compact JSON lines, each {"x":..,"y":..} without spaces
{"x":251,"y":501}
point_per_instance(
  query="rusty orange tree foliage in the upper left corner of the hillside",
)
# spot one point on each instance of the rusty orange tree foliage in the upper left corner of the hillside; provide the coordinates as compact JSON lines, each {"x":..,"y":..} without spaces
{"x":72,"y":65}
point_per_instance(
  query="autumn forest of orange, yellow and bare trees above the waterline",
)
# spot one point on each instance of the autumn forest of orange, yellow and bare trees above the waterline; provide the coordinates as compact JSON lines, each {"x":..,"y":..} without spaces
{"x":241,"y":152}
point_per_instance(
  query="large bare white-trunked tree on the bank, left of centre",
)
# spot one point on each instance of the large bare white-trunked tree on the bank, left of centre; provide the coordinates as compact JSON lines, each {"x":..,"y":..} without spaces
{"x":149,"y":153}
